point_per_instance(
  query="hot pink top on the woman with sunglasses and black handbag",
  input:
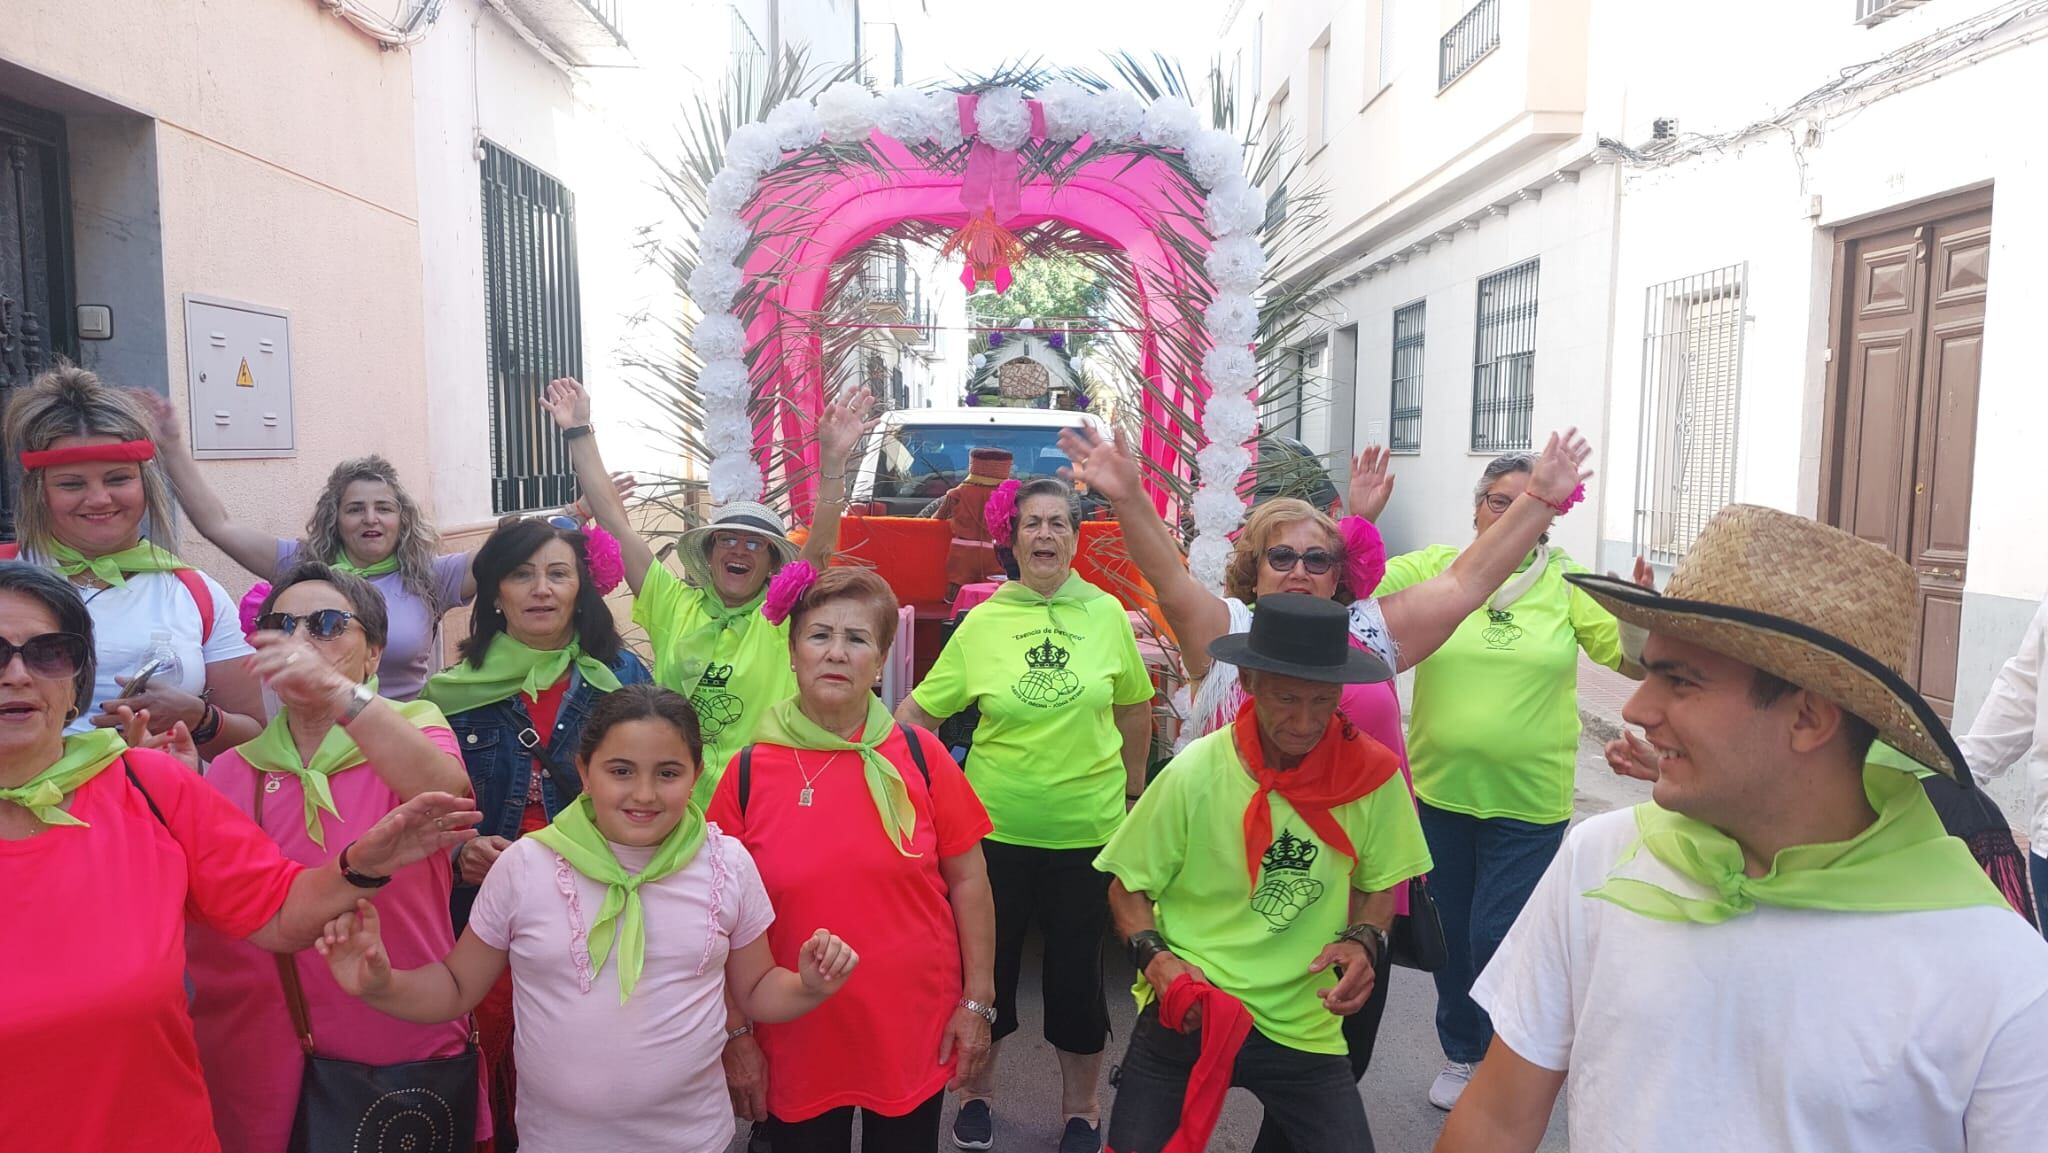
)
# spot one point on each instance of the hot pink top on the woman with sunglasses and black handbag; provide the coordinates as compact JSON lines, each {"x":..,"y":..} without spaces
{"x":247,"y":1043}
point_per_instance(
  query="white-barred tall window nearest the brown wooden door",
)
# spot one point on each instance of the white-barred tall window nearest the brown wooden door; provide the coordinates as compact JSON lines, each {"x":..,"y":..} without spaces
{"x":1693,"y":382}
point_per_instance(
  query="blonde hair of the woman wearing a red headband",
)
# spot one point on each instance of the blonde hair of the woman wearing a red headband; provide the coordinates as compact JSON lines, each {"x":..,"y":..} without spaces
{"x":73,"y":402}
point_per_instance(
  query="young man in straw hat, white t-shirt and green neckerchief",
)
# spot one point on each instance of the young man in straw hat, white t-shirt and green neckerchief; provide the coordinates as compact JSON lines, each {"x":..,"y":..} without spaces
{"x":1783,"y":949}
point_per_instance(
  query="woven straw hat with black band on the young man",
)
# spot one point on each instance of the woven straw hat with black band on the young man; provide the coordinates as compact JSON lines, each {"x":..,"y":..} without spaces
{"x":1803,"y":603}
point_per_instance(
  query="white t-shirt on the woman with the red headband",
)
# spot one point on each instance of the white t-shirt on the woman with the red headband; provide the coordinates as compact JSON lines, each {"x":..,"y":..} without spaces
{"x":124,"y":620}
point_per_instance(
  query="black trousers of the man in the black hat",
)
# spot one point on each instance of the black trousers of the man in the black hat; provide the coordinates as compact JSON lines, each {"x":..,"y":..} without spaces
{"x":1312,"y":1097}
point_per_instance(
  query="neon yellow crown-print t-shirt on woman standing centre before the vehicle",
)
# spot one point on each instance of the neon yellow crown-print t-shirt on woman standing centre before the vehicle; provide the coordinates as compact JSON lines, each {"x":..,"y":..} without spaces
{"x":1048,"y":759}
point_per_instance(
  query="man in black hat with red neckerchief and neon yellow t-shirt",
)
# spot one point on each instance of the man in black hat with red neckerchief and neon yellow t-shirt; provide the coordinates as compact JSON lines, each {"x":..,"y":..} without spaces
{"x":1254,"y":871}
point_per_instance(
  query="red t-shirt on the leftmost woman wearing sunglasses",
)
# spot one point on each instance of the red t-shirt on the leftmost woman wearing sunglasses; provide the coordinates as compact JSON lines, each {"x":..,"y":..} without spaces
{"x":99,"y":1045}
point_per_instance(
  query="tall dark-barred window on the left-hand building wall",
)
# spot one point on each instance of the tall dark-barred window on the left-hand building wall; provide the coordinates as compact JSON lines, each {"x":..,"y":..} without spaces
{"x":534,"y":327}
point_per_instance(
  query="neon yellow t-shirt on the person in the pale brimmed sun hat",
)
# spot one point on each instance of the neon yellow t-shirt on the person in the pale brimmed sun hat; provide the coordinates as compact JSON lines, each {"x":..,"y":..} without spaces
{"x":749,"y":667}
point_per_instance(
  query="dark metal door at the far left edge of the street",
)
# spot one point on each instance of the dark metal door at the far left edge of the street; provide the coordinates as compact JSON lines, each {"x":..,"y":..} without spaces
{"x":36,"y":259}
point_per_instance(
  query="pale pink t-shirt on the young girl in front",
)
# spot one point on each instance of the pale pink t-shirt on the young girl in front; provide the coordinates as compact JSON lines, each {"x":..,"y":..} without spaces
{"x":595,"y":1074}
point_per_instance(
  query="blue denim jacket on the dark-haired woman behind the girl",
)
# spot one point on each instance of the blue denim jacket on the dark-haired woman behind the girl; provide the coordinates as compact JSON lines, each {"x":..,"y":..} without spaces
{"x":499,"y":751}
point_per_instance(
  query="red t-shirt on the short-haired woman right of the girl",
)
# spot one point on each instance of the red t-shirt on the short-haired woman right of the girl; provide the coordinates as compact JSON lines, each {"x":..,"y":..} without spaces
{"x":876,"y":1043}
